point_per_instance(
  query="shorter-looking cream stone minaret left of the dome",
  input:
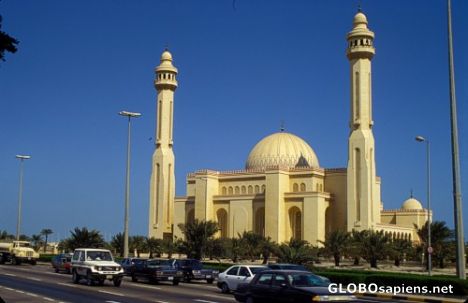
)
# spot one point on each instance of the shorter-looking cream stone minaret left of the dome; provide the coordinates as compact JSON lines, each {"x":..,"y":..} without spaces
{"x":162,"y":184}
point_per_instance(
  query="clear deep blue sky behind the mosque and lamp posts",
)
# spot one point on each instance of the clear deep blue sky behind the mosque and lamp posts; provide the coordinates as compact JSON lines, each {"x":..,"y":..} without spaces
{"x":244,"y":67}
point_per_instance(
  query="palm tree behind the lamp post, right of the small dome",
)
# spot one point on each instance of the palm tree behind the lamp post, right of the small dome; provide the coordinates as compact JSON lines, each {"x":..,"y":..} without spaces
{"x":441,"y":241}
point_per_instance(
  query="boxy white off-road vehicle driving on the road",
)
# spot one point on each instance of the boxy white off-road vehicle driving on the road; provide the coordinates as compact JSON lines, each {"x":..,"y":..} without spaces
{"x":95,"y":265}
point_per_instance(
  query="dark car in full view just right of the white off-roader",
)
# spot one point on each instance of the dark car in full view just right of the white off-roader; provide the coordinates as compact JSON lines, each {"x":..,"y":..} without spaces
{"x":156,"y":270}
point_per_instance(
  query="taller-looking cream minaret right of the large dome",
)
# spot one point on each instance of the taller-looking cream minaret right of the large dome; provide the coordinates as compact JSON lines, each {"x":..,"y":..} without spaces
{"x":363,"y":192}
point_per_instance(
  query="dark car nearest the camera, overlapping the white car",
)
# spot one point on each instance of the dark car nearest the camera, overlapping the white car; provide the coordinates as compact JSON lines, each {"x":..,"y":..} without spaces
{"x":292,"y":286}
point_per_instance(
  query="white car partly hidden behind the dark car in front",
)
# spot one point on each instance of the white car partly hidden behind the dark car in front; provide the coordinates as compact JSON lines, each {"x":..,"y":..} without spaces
{"x":237,"y":274}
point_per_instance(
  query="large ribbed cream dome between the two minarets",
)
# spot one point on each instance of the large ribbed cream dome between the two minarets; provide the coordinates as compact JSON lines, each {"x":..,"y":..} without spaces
{"x":281,"y":149}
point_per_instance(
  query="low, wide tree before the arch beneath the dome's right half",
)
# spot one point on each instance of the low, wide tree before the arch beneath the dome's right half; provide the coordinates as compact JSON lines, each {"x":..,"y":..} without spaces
{"x":297,"y":252}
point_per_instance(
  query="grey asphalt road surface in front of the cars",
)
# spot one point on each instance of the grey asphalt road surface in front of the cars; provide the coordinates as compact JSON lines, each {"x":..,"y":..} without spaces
{"x":26,"y":283}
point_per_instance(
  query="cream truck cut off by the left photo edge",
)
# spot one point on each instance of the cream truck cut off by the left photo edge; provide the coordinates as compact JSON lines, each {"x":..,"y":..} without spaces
{"x":18,"y":252}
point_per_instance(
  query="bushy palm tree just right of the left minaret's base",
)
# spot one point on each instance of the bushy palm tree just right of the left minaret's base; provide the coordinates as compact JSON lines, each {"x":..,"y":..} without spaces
{"x":197,"y":234}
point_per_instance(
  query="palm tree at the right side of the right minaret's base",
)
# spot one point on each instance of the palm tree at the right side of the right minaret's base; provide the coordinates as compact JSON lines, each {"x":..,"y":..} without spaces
{"x":374,"y":246}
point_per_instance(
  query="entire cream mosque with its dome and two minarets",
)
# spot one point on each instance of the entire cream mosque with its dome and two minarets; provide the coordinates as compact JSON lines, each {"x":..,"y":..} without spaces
{"x":282,"y":192}
